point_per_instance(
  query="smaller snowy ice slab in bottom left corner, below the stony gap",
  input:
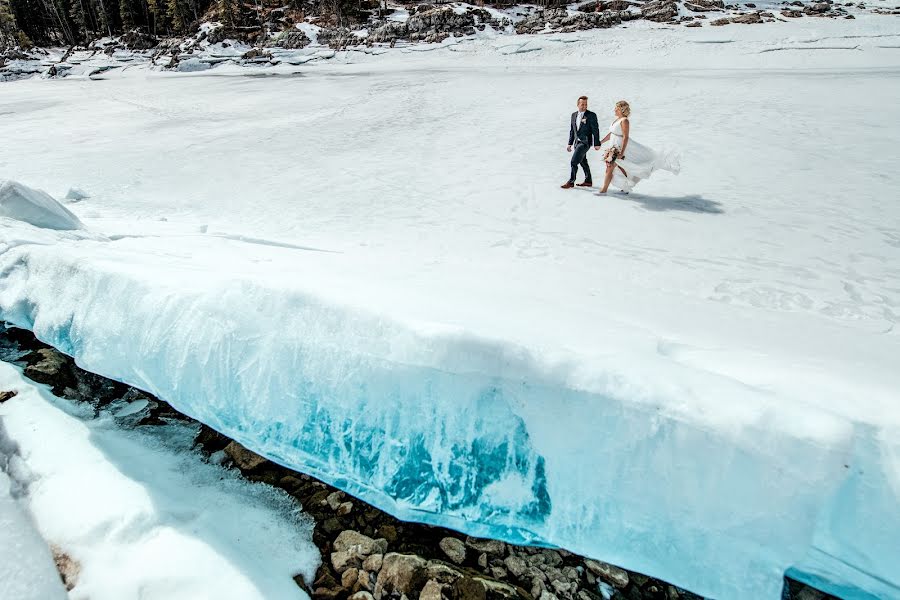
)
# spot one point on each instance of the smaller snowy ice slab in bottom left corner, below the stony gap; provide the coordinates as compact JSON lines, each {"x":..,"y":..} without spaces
{"x":139,"y":514}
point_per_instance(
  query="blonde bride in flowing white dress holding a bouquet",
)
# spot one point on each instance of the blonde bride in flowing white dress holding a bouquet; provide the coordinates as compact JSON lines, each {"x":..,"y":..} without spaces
{"x":627,"y":161}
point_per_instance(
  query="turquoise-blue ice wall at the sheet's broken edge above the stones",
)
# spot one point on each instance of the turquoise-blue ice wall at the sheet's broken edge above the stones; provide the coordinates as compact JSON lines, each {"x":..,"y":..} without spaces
{"x":441,"y":427}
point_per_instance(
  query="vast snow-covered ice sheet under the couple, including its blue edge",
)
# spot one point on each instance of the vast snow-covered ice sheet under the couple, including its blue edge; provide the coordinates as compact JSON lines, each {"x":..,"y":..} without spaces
{"x":365,"y":268}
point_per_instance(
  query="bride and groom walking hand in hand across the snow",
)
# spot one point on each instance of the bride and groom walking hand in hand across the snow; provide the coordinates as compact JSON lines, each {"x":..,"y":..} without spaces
{"x":627,"y":161}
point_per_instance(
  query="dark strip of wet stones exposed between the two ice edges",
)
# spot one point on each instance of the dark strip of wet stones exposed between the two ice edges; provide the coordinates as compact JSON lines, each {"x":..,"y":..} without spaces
{"x":366,"y":553}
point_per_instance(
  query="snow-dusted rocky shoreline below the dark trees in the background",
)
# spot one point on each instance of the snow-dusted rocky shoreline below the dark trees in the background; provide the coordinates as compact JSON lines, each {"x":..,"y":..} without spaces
{"x":278,"y":38}
